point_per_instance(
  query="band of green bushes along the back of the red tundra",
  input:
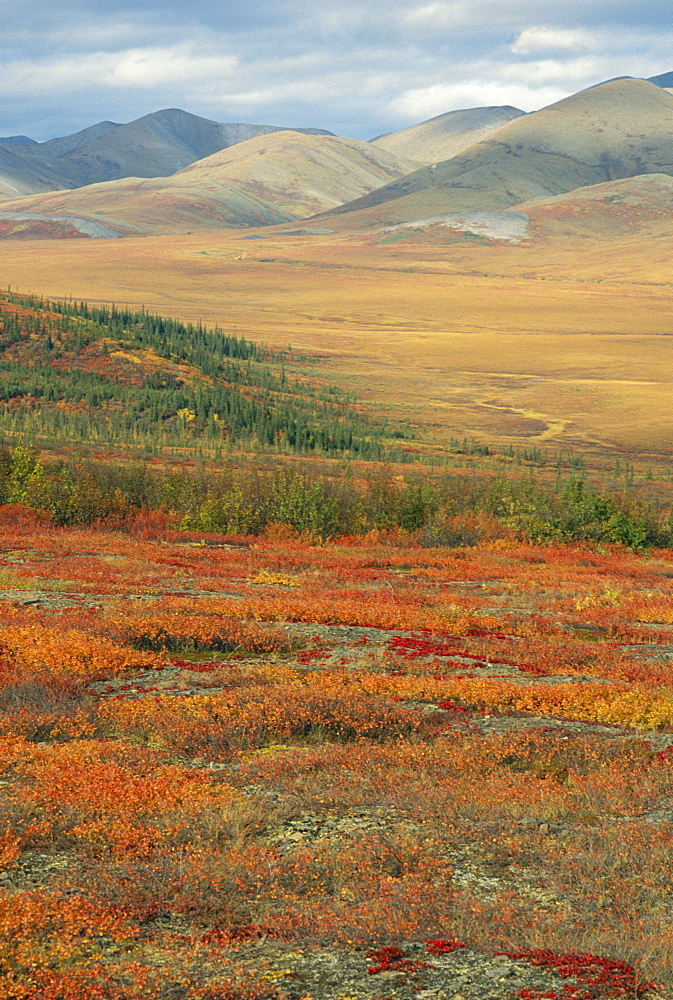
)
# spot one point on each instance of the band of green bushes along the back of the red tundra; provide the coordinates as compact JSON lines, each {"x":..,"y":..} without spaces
{"x":440,"y":511}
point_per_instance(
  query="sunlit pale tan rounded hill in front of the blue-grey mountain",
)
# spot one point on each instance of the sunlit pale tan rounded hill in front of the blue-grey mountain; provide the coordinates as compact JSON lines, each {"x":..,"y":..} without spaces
{"x":277,"y":177}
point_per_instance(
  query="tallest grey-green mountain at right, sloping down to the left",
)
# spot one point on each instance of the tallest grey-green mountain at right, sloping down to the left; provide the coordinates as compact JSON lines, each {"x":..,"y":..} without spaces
{"x":616,"y":129}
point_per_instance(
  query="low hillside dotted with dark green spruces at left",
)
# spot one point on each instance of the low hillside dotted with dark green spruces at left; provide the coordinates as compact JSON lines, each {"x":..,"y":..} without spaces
{"x":71,"y":374}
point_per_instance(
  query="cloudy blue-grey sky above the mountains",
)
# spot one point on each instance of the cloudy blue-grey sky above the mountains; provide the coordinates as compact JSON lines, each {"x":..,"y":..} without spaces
{"x":356,"y":67}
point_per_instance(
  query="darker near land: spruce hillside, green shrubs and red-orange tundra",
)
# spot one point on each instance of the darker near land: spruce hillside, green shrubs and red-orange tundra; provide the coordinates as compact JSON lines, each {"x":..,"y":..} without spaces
{"x":266,"y":691}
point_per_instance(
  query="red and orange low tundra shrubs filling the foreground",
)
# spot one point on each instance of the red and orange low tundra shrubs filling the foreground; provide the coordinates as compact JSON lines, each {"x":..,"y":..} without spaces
{"x":495,"y":717}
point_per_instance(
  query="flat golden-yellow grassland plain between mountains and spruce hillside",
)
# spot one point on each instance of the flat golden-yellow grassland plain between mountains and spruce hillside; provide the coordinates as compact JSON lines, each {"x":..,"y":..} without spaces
{"x":562,"y":344}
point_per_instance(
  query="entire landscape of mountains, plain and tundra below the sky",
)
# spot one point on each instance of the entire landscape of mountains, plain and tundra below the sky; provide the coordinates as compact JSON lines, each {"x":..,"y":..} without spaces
{"x":336,"y":547}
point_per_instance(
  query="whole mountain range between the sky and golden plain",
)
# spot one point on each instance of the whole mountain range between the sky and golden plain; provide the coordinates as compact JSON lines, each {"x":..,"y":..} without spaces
{"x":174,"y":172}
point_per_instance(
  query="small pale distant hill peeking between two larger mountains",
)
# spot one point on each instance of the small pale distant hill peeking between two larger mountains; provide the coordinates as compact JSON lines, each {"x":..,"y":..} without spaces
{"x":446,"y":135}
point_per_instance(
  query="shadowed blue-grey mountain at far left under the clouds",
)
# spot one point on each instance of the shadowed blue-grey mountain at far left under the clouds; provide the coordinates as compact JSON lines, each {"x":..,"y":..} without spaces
{"x":155,"y":145}
